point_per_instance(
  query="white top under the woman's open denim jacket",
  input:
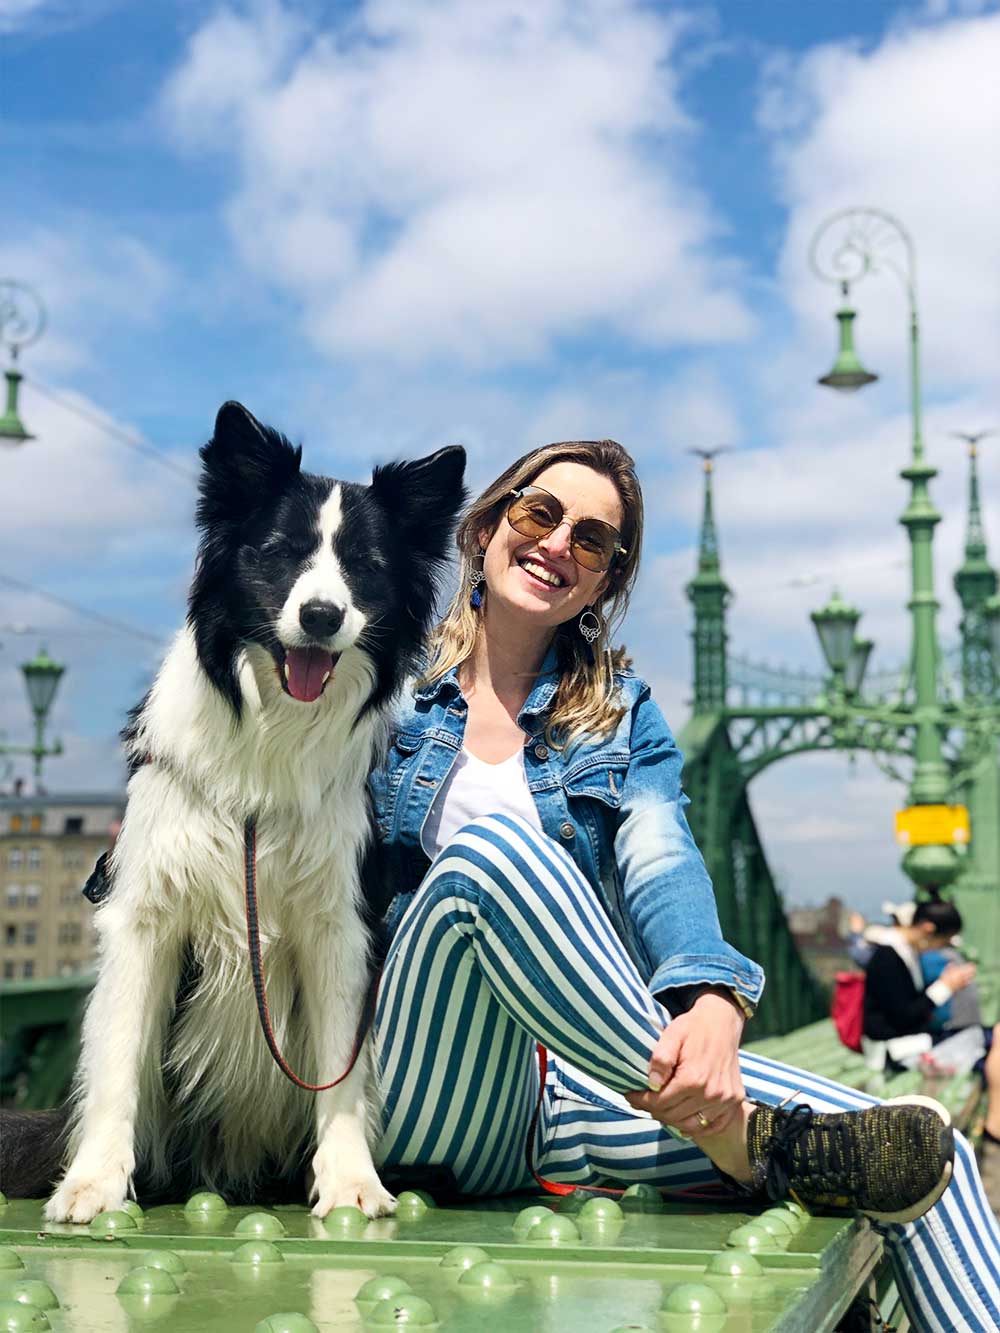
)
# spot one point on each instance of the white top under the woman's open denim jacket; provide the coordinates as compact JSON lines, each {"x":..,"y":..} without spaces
{"x":475,"y":788}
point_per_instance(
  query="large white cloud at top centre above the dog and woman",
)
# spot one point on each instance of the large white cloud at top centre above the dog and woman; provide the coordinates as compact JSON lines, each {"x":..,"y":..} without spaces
{"x":461,"y":181}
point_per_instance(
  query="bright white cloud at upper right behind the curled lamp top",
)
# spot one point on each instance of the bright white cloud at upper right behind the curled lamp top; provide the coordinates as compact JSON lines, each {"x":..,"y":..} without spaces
{"x":910,"y":129}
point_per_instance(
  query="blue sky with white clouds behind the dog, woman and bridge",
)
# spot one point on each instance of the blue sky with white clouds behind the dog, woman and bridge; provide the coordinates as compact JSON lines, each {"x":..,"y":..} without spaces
{"x":395,"y":225}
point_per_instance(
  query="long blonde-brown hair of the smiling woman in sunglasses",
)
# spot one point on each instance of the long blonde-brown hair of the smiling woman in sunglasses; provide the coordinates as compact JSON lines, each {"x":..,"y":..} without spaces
{"x":587,"y":700}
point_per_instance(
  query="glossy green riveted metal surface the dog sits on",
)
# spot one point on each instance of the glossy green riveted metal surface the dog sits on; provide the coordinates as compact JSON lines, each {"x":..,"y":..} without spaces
{"x":583,"y":1263}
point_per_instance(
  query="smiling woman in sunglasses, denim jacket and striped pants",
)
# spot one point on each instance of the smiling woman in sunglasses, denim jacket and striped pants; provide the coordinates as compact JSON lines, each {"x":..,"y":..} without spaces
{"x":578,"y":914}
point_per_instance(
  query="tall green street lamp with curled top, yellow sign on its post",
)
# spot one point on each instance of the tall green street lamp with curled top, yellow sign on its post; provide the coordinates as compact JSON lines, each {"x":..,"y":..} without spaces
{"x":849,"y":247}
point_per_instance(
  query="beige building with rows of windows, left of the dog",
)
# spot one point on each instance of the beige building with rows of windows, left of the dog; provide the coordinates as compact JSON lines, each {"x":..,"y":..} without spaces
{"x":49,"y":846}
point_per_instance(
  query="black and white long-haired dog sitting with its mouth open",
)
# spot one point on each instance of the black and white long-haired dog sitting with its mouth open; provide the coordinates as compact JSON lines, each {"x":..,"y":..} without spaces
{"x":309,"y":609}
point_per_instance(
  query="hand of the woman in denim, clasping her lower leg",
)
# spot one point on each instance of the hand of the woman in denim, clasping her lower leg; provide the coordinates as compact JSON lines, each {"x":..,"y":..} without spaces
{"x":695,"y":1070}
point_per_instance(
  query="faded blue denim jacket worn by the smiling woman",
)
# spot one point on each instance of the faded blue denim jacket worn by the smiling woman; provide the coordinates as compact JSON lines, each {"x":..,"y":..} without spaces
{"x":617,"y":807}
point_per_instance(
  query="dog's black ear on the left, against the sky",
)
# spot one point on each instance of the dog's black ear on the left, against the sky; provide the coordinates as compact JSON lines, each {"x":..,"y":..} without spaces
{"x":245,"y":465}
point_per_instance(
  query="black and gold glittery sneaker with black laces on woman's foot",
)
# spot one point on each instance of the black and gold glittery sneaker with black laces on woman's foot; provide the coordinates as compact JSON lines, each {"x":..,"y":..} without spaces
{"x":891,"y":1162}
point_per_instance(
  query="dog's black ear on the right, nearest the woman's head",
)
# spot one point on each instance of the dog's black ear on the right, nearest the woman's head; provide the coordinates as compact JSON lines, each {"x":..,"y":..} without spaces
{"x":425,"y":497}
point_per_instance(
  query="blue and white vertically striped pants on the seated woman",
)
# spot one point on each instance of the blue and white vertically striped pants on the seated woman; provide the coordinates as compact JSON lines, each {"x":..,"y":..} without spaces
{"x":506,"y":944}
